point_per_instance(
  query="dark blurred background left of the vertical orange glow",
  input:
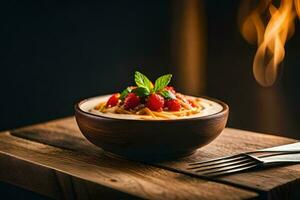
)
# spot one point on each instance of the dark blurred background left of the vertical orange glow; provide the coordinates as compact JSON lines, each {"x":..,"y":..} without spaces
{"x":55,"y":53}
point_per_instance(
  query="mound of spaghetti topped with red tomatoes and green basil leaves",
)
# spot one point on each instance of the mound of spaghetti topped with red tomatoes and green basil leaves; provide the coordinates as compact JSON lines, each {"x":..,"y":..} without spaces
{"x":151,"y":101}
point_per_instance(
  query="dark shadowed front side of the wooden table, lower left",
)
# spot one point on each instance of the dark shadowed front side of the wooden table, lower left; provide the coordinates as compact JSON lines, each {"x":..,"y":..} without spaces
{"x":51,"y":182}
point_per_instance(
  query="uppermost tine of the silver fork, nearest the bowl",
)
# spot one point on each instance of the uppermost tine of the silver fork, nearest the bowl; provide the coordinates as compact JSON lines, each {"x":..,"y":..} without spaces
{"x":223,"y":164}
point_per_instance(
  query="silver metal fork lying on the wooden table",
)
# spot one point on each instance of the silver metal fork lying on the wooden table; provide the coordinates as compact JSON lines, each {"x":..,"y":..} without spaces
{"x":240,"y":162}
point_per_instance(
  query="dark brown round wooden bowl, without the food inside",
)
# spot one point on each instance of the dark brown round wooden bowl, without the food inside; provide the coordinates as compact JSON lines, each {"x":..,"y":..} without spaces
{"x":151,"y":139}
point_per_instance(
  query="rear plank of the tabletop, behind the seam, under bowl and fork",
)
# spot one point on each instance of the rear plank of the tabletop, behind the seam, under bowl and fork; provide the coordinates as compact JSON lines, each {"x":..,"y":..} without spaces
{"x":272,"y":183}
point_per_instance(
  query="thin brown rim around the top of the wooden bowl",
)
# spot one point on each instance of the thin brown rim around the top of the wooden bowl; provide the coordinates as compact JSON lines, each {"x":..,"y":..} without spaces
{"x":224,"y":111}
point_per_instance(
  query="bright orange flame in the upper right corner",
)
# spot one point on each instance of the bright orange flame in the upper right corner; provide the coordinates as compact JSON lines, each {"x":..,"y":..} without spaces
{"x":270,"y":38}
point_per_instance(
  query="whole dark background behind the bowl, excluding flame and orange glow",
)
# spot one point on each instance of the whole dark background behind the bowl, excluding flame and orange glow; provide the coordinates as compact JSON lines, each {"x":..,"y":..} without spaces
{"x":54,"y":53}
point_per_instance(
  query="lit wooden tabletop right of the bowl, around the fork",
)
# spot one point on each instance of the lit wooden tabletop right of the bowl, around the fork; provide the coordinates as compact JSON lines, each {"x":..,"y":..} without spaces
{"x":272,"y":182}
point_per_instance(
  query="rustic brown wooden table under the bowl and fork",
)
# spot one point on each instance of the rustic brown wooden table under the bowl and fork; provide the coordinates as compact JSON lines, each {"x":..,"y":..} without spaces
{"x":55,"y":160}
